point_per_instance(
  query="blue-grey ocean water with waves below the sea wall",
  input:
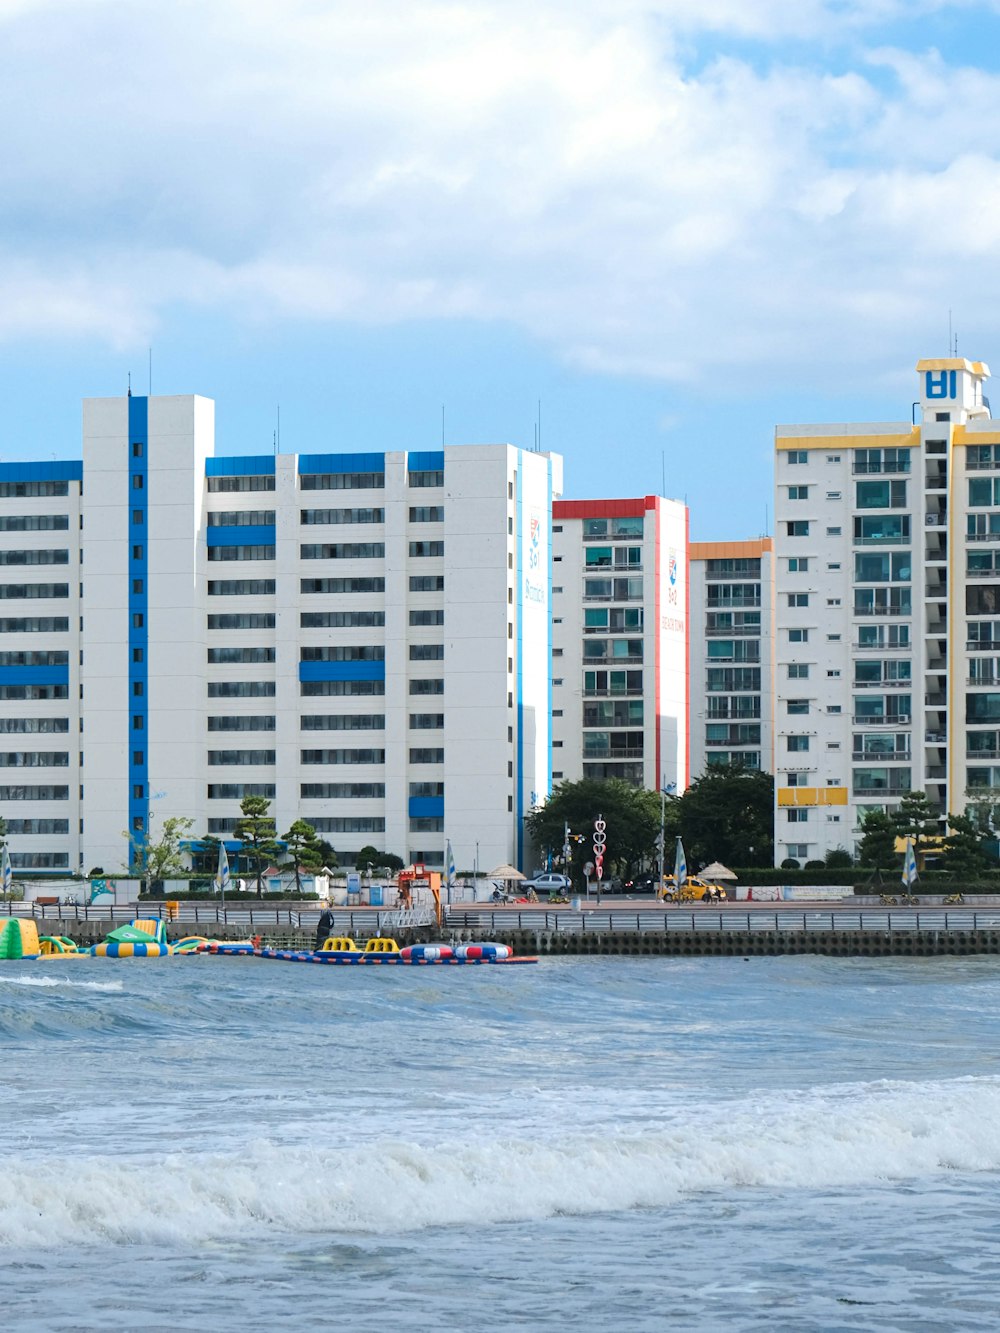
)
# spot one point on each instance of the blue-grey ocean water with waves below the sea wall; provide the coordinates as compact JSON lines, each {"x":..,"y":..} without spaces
{"x":230,"y":1144}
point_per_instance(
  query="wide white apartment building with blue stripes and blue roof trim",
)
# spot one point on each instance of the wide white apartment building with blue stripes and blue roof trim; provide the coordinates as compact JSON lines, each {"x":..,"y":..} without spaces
{"x":365,"y":639}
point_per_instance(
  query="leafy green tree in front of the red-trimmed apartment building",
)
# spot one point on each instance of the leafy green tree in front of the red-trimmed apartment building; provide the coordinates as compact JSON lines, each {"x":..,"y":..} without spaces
{"x":631,"y":815}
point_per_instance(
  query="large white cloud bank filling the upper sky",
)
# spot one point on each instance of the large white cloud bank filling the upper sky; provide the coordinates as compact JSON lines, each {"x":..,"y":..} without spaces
{"x":557,"y":166}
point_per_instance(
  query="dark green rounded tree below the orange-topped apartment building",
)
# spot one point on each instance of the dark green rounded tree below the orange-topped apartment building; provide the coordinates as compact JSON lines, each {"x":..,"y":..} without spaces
{"x":729,"y":815}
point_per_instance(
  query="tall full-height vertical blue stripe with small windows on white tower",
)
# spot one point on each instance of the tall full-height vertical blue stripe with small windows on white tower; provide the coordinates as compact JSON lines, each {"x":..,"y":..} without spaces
{"x":138,"y":614}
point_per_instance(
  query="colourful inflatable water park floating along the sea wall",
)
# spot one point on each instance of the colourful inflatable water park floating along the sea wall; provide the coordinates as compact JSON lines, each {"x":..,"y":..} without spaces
{"x":146,"y":938}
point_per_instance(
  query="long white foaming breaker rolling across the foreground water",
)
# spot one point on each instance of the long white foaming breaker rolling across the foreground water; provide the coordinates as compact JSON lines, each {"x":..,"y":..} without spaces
{"x":859,"y":1135}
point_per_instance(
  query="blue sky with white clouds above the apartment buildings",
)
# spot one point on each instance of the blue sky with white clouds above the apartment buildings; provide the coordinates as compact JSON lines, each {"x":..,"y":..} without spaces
{"x":641,"y":234}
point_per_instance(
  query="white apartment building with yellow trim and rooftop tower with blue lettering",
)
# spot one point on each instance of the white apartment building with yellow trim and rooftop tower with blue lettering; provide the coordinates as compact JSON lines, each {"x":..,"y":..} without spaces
{"x":889,"y":613}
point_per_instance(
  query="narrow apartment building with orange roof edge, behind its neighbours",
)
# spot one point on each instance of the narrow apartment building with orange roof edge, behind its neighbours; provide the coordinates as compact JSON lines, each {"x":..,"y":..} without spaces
{"x":733,"y":654}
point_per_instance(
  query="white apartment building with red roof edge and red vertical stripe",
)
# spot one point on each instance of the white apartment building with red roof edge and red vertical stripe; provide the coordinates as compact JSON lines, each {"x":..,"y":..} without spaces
{"x":619,"y":642}
